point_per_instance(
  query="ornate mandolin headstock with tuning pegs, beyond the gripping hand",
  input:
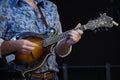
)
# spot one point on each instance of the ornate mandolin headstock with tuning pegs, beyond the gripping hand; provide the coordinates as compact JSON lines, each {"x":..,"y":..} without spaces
{"x":102,"y":21}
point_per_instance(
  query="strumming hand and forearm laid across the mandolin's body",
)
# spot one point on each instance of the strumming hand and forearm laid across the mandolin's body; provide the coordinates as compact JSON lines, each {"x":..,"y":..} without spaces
{"x":17,"y":46}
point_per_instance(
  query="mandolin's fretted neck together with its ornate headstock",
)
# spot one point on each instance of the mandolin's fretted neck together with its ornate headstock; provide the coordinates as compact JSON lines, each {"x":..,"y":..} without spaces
{"x":102,"y":21}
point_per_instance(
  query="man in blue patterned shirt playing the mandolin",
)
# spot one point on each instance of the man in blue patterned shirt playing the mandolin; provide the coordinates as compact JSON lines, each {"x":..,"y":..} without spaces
{"x":18,"y":16}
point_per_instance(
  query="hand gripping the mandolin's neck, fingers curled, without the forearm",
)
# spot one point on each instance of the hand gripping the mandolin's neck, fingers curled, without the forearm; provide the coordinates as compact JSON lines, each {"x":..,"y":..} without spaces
{"x":75,"y":35}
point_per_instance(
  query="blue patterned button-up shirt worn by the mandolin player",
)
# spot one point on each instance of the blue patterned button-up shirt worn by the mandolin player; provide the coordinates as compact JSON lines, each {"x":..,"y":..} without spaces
{"x":16,"y":16}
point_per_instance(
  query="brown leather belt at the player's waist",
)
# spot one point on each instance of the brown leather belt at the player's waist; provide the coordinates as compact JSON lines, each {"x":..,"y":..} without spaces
{"x":45,"y":76}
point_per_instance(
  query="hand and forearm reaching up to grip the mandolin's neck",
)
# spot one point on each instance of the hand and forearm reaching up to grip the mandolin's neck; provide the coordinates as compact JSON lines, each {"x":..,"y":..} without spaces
{"x":75,"y":36}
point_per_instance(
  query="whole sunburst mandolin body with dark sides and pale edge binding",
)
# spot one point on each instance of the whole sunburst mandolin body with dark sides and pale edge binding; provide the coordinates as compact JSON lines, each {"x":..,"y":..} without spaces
{"x":30,"y":62}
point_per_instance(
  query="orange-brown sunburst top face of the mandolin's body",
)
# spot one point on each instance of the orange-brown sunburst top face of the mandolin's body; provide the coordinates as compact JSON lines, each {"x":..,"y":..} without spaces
{"x":30,"y":58}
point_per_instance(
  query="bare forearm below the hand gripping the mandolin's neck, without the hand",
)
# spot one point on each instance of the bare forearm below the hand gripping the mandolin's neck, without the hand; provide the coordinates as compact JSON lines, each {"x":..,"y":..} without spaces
{"x":63,"y":48}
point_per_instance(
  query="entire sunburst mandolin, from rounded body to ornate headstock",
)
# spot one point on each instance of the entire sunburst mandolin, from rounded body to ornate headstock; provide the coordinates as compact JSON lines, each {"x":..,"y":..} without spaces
{"x":46,"y":44}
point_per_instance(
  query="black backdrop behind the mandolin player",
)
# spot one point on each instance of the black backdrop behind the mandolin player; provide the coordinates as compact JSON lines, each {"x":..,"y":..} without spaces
{"x":90,"y":56}
